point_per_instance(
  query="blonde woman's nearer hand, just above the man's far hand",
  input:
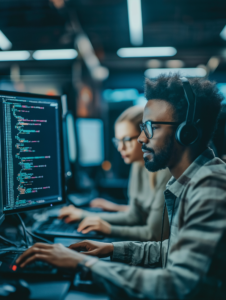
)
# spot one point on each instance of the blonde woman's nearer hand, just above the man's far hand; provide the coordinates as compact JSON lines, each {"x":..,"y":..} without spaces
{"x":94,"y":223}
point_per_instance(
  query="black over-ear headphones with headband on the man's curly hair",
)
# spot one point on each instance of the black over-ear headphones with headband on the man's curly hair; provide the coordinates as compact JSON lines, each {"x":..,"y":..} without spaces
{"x":188,"y":132}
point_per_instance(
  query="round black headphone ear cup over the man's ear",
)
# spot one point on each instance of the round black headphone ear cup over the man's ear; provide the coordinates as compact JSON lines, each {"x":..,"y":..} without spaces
{"x":187,"y":134}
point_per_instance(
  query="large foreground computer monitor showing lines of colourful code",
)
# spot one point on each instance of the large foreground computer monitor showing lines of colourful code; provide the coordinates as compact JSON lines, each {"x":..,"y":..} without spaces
{"x":31,"y":164}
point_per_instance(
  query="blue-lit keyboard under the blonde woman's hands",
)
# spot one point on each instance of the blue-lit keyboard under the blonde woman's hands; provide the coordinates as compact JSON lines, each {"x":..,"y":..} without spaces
{"x":57,"y":227}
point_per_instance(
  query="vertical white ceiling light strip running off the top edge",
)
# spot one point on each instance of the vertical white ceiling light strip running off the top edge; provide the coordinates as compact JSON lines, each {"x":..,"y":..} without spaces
{"x":135,"y":22}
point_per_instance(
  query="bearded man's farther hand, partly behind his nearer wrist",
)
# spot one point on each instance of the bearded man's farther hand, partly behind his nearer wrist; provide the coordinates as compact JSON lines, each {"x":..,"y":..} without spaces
{"x":93,"y":248}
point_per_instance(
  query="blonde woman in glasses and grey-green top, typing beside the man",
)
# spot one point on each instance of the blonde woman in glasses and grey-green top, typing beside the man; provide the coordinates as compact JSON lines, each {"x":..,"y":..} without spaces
{"x":142,"y":220}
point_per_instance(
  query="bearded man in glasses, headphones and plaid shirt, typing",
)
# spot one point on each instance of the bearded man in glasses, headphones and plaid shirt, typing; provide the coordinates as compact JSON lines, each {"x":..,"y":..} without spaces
{"x":192,"y":260}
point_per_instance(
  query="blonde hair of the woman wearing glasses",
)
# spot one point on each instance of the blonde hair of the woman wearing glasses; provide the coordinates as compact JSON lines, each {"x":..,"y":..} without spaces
{"x":134,"y":115}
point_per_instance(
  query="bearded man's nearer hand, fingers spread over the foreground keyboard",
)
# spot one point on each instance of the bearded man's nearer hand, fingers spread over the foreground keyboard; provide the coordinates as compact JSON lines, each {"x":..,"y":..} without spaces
{"x":55,"y":254}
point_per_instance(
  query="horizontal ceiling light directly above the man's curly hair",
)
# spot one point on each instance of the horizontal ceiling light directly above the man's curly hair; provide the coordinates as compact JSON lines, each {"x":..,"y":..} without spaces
{"x":187,"y":72}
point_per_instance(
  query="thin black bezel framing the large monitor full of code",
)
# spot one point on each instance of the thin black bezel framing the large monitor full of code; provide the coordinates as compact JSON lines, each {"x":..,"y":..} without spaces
{"x":63,"y":201}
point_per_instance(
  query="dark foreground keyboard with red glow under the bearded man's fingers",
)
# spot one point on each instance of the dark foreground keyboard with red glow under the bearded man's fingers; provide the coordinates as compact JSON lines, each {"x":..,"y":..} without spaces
{"x":8,"y":265}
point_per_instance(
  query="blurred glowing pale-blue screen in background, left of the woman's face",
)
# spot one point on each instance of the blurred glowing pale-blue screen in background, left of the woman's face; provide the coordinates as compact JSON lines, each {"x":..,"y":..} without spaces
{"x":90,"y":133}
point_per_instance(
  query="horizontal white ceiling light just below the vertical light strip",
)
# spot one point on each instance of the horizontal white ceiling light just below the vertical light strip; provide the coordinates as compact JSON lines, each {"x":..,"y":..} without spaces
{"x":147,"y":52}
